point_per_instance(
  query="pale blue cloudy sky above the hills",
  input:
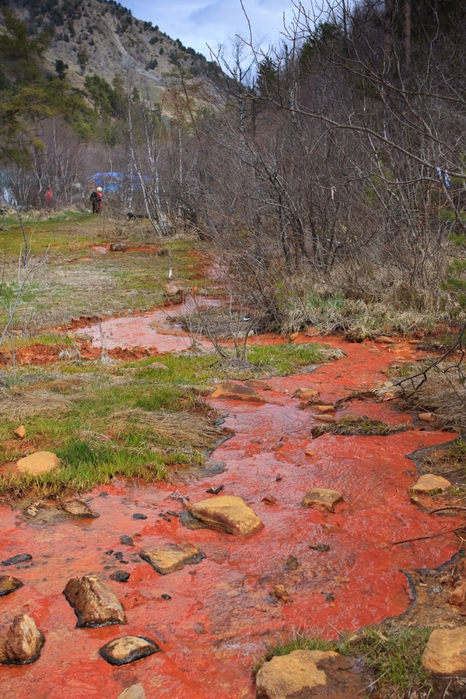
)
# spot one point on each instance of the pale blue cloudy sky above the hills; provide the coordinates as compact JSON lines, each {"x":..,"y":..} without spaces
{"x":200,"y":22}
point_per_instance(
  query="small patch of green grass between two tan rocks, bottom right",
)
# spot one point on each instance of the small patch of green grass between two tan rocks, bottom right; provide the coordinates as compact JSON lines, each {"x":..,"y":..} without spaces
{"x":394,"y":656}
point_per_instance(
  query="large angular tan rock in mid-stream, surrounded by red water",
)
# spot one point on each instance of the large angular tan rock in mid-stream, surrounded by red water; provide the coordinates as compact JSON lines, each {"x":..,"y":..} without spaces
{"x":227,"y":513}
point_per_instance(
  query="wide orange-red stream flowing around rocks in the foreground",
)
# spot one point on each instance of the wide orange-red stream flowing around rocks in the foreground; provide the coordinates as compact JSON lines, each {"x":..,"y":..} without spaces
{"x":220,"y":614}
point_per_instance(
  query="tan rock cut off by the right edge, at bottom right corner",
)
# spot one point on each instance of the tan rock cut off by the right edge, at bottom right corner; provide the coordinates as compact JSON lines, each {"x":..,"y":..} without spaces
{"x":445,"y":653}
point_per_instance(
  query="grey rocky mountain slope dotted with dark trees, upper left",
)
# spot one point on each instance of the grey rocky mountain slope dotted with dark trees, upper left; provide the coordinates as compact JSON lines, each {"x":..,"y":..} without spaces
{"x":102,"y":37}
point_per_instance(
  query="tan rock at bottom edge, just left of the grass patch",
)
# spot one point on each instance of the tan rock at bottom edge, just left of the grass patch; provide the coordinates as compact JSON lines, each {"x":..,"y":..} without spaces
{"x":287,"y":675}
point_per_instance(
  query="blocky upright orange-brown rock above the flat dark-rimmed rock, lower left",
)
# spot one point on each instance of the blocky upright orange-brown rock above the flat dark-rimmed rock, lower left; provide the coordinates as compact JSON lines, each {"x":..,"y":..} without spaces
{"x":95,"y":604}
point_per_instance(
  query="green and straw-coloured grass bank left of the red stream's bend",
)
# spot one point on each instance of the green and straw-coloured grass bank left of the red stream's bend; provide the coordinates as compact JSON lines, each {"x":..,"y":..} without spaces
{"x":131,"y":420}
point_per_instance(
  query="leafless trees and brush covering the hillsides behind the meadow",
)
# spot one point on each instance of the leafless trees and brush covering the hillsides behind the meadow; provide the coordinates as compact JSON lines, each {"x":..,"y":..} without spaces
{"x":331,"y":180}
